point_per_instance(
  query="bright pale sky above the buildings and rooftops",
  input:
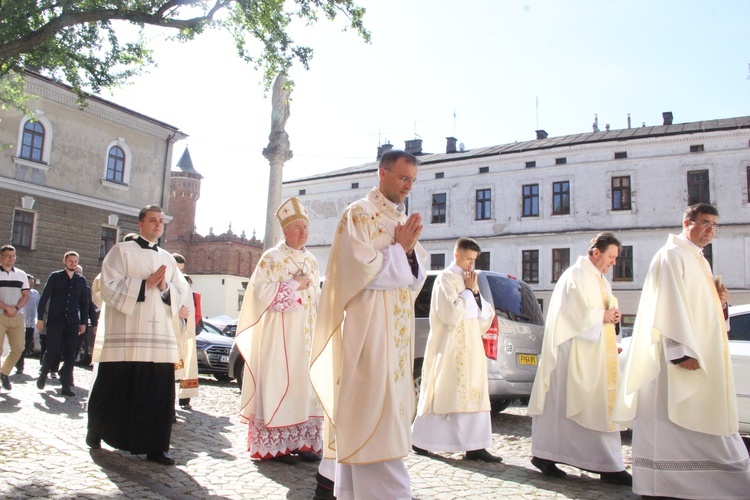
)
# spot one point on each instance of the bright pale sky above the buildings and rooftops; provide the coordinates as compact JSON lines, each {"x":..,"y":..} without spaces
{"x":487,"y":72}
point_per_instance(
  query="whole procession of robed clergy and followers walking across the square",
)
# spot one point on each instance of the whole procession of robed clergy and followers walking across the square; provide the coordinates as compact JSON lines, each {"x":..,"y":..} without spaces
{"x":328,"y":371}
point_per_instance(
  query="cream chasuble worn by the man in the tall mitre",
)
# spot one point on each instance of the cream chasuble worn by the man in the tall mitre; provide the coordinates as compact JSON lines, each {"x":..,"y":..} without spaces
{"x":276,"y":343}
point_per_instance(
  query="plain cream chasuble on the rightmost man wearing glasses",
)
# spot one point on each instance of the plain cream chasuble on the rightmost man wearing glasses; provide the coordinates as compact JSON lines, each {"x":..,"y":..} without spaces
{"x":679,"y":303}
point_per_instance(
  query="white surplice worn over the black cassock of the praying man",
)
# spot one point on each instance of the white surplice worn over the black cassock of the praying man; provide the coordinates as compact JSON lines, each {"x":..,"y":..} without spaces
{"x":138,"y":331}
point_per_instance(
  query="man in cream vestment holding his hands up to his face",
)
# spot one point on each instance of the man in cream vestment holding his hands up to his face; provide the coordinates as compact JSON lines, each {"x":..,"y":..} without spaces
{"x":453,"y":412}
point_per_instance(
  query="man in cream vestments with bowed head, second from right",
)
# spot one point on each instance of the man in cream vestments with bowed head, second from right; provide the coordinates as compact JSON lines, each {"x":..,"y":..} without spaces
{"x":574,"y":390}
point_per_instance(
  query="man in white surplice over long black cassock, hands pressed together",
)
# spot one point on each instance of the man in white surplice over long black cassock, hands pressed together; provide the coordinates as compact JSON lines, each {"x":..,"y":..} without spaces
{"x":131,"y":403}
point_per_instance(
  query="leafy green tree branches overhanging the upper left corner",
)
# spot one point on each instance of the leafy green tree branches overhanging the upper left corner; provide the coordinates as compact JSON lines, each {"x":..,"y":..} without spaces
{"x":77,"y":41}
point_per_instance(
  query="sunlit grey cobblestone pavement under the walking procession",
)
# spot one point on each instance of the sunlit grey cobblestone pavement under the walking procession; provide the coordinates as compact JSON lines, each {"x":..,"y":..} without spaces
{"x":43,"y":454}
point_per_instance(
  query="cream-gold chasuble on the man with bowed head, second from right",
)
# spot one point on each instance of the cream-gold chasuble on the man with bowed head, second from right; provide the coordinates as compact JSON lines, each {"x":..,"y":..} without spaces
{"x":576,"y":310}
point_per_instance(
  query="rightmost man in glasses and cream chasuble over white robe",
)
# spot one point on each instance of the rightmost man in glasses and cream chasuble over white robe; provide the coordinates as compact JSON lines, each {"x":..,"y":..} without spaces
{"x":677,"y":386}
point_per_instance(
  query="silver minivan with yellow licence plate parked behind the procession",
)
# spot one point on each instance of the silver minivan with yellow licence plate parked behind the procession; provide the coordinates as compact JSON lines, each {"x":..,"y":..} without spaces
{"x":519,"y":324}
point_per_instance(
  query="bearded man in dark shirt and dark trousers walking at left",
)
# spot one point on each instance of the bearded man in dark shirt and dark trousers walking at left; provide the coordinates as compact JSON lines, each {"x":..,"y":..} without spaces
{"x":67,"y":318}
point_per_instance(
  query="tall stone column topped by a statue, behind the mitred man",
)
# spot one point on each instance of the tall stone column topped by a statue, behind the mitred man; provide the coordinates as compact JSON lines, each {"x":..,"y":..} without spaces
{"x":277,"y":153}
